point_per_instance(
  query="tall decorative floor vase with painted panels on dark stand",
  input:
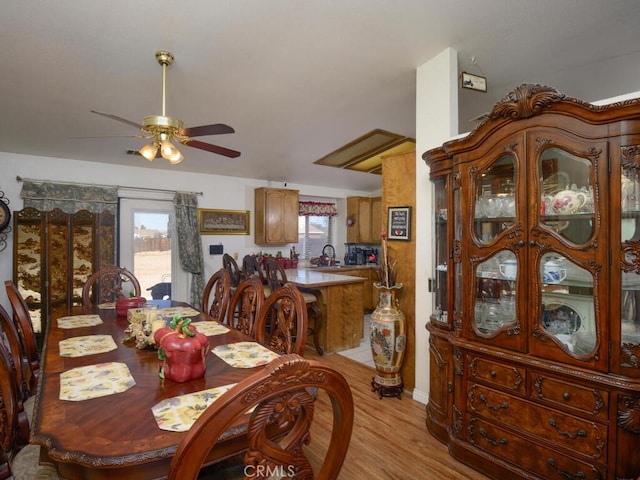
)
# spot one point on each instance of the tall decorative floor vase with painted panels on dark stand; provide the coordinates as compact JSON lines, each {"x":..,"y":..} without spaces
{"x":388,"y":340}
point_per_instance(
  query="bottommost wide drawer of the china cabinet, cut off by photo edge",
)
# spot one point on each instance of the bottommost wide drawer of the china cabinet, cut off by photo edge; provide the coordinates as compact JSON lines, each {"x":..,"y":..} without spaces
{"x":545,"y":462}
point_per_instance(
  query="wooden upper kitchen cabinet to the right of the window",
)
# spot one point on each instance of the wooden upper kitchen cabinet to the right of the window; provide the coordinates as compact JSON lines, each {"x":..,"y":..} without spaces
{"x":364,"y":219}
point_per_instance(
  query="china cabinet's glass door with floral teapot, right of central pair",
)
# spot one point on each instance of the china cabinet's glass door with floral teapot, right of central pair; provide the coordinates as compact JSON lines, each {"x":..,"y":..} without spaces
{"x":564,"y":257}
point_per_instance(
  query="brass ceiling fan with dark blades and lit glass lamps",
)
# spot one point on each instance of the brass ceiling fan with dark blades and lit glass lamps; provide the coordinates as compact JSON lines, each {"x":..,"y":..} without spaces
{"x":161,"y":129}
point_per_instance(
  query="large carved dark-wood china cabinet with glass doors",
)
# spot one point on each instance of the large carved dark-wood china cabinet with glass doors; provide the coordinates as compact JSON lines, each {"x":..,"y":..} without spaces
{"x":535,"y":329}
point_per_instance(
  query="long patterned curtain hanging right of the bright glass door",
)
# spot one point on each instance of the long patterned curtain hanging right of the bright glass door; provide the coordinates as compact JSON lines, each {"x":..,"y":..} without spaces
{"x":189,"y":242}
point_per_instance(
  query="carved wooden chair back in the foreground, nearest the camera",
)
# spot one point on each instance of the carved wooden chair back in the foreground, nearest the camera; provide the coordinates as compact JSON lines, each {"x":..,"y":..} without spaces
{"x":282,"y":393}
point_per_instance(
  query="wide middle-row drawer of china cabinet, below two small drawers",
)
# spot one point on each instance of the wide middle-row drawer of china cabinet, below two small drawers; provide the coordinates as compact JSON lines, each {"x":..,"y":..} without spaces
{"x":573,"y":433}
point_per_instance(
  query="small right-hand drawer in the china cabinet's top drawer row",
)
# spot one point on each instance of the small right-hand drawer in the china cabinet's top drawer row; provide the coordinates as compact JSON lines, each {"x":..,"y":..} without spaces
{"x":581,"y":399}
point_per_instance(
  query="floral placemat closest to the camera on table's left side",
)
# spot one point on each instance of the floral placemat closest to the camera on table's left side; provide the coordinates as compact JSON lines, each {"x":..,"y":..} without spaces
{"x":94,"y":381}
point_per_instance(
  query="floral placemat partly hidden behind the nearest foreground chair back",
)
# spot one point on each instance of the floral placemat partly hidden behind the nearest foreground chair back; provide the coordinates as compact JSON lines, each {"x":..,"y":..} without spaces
{"x":178,"y":414}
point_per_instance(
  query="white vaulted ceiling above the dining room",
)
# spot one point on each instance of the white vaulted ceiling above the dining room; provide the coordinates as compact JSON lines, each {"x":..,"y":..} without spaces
{"x":296,"y":79}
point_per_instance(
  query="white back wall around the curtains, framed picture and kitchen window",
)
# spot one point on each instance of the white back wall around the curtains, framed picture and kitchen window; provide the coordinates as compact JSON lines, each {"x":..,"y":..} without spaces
{"x":228,"y":193}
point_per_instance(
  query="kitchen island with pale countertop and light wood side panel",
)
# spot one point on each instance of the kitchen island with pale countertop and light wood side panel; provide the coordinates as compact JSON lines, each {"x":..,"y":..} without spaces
{"x":340,"y":297}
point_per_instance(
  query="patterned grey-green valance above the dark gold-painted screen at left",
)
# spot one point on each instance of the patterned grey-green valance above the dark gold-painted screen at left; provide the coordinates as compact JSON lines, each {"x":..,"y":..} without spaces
{"x":70,"y":198}
